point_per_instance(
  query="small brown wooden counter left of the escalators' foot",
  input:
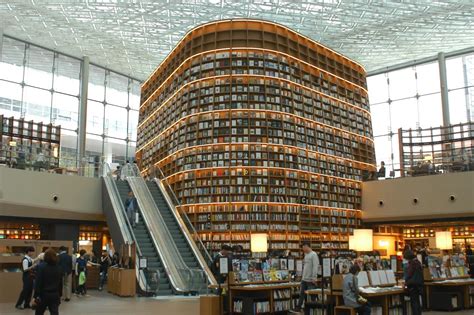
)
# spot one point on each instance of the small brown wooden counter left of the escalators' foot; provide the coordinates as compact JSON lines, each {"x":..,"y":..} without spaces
{"x":122,"y":282}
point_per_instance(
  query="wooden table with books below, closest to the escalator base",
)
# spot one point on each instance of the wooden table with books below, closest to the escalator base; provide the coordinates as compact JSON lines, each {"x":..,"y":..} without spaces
{"x":248,"y":293}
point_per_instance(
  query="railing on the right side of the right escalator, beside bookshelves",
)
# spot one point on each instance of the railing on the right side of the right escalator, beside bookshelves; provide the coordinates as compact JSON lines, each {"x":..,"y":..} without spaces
{"x":189,"y":230}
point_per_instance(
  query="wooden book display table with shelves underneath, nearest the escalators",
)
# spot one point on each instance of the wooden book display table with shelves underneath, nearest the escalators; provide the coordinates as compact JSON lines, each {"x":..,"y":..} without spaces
{"x":263,"y":298}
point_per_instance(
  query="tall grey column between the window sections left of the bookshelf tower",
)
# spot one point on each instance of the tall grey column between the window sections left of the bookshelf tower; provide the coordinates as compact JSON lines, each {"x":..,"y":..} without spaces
{"x":81,"y":137}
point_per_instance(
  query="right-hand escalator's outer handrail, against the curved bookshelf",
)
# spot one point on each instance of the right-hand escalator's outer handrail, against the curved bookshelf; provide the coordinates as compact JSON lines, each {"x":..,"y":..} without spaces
{"x":197,"y":253}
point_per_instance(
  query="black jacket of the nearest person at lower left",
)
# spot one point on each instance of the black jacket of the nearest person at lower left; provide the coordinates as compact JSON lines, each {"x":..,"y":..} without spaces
{"x":48,"y":280}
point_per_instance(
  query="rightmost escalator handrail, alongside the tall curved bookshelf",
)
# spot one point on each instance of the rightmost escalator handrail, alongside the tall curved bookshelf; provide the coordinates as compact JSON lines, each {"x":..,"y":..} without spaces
{"x":192,"y":242}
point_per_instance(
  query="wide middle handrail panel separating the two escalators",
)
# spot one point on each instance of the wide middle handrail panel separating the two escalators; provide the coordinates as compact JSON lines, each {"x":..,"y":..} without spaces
{"x":173,"y":263}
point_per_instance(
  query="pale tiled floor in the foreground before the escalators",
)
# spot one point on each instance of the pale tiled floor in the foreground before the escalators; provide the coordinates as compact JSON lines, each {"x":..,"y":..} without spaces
{"x":106,"y":304}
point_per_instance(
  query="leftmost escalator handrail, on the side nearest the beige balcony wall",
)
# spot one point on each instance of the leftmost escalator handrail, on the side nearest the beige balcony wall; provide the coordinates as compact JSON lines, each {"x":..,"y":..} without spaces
{"x":120,"y":215}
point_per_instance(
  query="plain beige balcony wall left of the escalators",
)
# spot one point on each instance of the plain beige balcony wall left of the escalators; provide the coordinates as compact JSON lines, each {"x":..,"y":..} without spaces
{"x":30,"y":194}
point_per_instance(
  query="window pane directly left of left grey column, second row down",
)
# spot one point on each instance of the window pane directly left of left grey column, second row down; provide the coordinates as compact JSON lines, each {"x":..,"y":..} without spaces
{"x":65,"y":111}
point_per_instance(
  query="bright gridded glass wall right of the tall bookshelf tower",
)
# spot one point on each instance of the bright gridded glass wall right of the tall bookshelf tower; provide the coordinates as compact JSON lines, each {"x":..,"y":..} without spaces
{"x":411,"y":98}
